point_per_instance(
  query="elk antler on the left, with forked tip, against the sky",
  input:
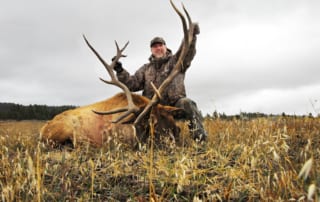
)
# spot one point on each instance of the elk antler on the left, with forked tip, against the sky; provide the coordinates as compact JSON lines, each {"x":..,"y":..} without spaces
{"x":131,"y":108}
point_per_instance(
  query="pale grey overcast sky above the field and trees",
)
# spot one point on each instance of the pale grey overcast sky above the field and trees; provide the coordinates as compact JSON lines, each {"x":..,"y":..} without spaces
{"x":252,"y":55}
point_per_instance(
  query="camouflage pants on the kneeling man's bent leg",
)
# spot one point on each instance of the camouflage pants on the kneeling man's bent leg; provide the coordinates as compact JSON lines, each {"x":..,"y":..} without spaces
{"x":192,"y":114}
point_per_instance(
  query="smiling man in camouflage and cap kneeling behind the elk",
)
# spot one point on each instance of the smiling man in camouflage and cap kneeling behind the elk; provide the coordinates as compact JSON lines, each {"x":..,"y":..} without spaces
{"x":157,"y":70}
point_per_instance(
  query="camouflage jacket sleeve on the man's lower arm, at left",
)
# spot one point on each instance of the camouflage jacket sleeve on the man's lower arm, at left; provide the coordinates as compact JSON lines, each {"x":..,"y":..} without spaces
{"x":133,"y":82}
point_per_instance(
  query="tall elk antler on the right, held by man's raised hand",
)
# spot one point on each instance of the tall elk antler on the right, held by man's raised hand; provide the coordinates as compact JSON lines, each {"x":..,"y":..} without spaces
{"x":188,"y":30}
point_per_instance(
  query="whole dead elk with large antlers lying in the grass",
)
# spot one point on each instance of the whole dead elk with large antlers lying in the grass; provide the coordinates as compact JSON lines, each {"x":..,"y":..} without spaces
{"x":124,"y":117}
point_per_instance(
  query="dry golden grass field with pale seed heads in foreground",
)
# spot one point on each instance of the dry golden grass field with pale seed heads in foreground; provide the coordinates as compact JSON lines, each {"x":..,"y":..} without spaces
{"x":265,"y":159}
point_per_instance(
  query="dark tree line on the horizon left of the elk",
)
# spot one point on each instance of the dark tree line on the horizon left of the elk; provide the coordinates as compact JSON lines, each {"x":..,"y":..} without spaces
{"x":12,"y":111}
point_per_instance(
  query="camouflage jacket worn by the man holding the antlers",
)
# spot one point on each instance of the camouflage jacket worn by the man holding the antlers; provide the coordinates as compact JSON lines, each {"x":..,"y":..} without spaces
{"x":156,"y":71}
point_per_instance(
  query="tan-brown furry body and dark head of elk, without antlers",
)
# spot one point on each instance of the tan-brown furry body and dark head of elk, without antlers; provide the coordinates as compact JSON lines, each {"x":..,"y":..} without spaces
{"x":83,"y":125}
